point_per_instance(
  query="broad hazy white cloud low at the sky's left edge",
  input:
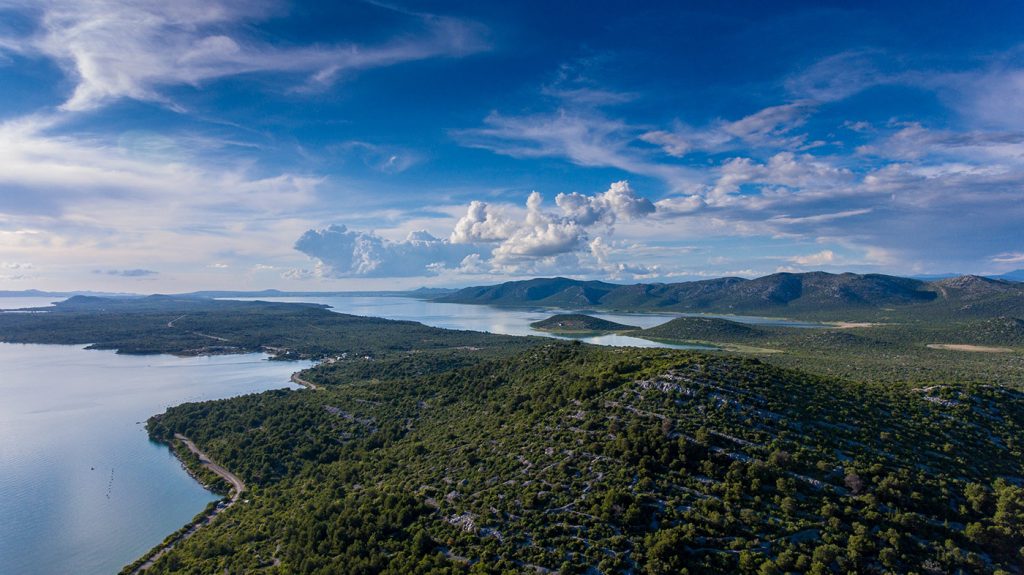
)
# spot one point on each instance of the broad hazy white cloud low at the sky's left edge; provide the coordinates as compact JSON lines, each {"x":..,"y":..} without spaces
{"x":73,"y":196}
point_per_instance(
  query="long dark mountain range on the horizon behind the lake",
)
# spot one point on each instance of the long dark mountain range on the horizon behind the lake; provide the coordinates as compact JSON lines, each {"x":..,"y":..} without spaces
{"x":792,"y":294}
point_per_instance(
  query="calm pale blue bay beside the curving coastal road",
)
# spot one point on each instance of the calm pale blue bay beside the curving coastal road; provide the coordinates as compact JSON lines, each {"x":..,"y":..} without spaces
{"x":82,"y":490}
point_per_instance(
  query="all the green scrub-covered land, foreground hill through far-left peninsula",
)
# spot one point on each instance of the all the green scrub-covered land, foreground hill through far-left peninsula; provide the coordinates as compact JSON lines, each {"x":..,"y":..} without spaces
{"x":426,"y":451}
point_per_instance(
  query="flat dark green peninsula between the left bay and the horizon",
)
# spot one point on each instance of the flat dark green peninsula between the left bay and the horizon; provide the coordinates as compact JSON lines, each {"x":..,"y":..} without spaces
{"x":193,"y":327}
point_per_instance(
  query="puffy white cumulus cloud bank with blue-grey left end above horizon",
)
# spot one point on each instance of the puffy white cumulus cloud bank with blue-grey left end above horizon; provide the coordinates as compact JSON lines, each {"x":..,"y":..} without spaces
{"x":487,"y":240}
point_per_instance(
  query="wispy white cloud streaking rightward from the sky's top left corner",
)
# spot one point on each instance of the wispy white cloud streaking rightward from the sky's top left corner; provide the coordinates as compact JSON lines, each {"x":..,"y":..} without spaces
{"x":136,"y":49}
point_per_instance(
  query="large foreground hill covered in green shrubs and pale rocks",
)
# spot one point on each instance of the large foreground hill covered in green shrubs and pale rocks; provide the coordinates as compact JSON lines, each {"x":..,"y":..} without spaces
{"x":566,"y":457}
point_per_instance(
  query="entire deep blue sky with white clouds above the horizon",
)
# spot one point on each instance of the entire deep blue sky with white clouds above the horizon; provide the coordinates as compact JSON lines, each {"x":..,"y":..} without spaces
{"x":166,"y":147}
